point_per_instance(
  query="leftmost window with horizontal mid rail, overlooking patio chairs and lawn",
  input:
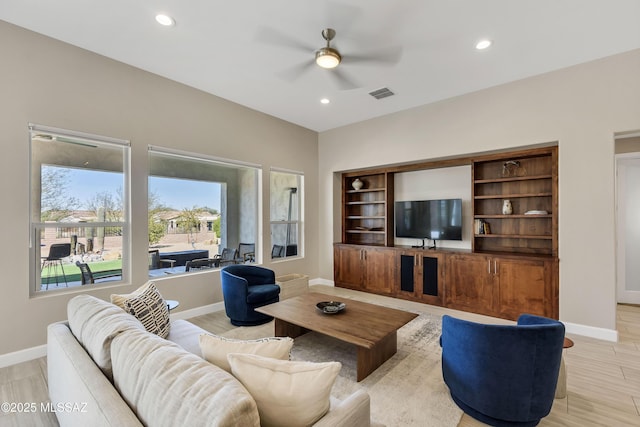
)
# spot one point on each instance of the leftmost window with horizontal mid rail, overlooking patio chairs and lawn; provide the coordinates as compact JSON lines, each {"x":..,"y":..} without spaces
{"x":79,"y":209}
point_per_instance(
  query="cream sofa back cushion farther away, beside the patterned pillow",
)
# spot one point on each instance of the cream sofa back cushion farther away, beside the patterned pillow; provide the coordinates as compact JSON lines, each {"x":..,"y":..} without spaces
{"x":95,"y":323}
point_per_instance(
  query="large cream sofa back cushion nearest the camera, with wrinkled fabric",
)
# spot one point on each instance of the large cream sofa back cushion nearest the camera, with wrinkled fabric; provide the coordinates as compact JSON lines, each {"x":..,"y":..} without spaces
{"x":168,"y":386}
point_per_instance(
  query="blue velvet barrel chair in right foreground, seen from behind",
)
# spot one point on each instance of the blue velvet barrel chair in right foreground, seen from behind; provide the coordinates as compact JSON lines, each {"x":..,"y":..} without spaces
{"x":502,"y":375}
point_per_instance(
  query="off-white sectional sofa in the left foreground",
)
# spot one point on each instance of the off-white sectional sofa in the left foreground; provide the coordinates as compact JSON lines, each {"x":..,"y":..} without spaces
{"x":110,"y":371}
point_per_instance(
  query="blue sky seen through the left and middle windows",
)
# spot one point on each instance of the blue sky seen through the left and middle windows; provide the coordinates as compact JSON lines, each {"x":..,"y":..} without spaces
{"x":175,"y":193}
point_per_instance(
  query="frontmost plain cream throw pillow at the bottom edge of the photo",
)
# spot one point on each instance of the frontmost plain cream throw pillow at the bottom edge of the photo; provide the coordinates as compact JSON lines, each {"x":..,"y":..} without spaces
{"x":288,"y":394}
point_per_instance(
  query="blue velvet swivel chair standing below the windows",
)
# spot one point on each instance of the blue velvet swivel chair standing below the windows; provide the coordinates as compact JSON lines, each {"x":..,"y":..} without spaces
{"x":246,"y":287}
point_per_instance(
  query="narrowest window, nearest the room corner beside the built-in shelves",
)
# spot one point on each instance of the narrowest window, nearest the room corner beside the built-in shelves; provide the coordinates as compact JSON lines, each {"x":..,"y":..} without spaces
{"x":286,"y":213}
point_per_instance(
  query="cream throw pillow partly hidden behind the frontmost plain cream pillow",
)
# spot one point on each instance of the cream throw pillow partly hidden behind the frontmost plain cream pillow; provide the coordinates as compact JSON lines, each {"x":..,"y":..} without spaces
{"x":215,"y":348}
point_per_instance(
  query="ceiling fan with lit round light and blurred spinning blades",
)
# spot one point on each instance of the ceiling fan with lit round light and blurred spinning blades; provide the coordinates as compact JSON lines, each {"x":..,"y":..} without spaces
{"x":328,"y":57}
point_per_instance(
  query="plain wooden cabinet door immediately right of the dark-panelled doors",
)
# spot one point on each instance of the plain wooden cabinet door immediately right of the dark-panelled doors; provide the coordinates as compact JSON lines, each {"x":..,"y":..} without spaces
{"x":470,"y":283}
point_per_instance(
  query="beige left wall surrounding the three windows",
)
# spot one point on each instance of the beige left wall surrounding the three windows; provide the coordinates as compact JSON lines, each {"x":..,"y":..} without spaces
{"x":50,"y":83}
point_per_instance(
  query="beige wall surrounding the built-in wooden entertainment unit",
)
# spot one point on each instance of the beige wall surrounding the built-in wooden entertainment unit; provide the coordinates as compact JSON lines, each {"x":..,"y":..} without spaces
{"x":580,"y":107}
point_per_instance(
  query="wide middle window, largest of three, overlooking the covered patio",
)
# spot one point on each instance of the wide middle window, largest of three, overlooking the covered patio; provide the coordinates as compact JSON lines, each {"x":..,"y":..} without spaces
{"x":198,"y":207}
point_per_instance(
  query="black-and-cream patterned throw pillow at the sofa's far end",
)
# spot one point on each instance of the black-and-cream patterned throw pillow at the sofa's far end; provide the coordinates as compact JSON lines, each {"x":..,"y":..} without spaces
{"x":147,"y":305}
